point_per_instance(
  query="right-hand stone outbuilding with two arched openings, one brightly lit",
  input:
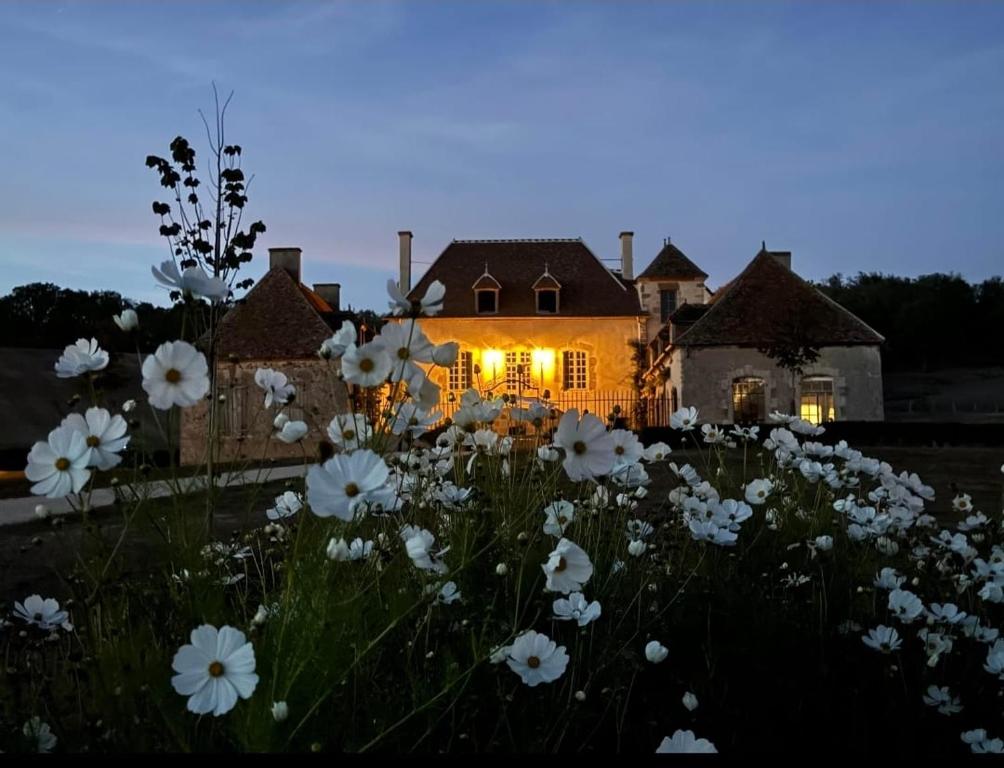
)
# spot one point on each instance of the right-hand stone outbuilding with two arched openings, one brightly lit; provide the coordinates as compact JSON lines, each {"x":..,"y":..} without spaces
{"x":709,"y":355}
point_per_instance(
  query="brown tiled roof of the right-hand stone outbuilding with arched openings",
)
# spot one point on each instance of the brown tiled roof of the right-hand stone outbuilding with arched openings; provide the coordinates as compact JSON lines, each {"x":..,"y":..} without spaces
{"x":769,"y":304}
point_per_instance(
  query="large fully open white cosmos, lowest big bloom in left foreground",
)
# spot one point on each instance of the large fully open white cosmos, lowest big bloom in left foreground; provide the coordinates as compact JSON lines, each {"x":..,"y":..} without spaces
{"x":214,"y":670}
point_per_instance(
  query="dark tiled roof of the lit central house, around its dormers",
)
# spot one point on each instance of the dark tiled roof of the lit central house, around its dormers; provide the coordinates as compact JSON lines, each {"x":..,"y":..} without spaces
{"x":588,"y":288}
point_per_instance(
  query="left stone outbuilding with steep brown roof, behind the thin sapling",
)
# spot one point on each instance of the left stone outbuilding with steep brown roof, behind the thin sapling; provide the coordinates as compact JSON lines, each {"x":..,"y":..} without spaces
{"x":280,"y":325}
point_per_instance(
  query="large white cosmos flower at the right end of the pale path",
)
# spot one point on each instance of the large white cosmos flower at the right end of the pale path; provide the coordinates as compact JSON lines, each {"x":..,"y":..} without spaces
{"x":348,"y":483}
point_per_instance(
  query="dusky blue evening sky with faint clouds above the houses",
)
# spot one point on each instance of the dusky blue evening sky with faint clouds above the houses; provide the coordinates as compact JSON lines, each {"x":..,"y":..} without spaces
{"x":862,"y":137}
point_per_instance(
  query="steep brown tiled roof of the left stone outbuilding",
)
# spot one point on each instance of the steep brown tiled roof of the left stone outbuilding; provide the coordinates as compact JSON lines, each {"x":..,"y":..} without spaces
{"x":279,"y":319}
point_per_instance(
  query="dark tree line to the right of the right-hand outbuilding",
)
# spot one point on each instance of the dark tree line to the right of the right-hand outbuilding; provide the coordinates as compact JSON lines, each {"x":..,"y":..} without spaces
{"x":930,"y":323}
